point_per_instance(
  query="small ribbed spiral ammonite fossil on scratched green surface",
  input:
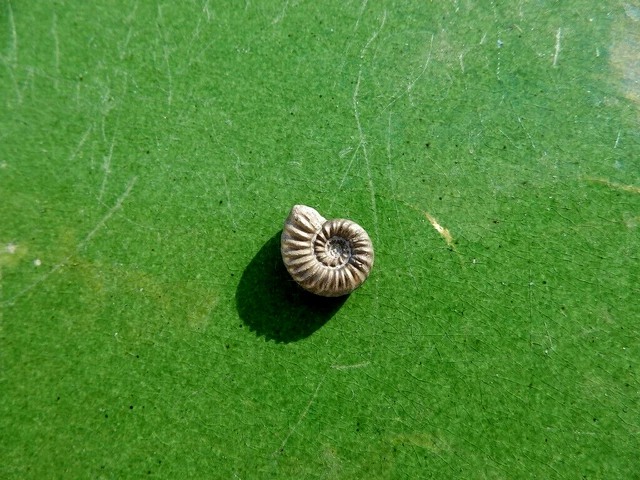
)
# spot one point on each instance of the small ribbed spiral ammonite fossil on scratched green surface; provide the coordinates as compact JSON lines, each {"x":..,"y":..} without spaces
{"x":326,"y":257}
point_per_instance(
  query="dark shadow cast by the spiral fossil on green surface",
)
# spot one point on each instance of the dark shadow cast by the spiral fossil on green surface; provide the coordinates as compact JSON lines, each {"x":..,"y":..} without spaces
{"x":270,"y":303}
